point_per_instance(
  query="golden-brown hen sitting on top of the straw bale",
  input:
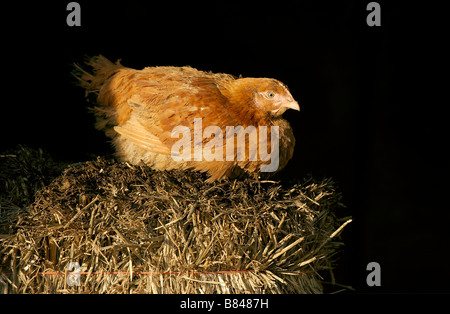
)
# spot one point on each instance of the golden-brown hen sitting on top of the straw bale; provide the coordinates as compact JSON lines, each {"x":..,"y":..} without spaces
{"x":140,"y":109}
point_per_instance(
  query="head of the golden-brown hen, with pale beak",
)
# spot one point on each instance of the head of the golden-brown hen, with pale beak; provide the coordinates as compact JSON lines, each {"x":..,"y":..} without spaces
{"x":269,"y":95}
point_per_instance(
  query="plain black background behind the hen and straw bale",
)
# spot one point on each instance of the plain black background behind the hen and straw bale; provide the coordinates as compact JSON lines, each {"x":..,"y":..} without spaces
{"x":366,"y":119}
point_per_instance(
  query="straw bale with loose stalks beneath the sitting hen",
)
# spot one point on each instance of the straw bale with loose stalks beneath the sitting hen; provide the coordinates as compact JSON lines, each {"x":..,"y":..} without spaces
{"x":135,"y":230}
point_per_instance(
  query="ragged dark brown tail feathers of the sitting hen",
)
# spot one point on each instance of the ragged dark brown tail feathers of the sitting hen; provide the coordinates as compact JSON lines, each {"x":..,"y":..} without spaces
{"x":102,"y":70}
